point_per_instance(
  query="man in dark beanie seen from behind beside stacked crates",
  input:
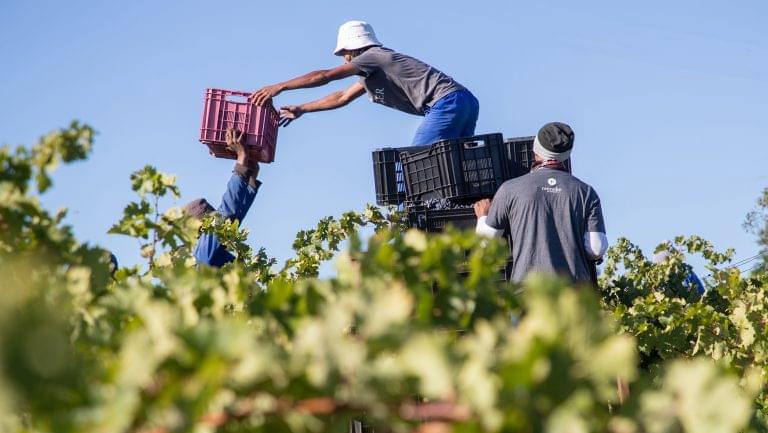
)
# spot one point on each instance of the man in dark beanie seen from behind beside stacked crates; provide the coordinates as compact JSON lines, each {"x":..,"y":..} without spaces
{"x":555,"y":221}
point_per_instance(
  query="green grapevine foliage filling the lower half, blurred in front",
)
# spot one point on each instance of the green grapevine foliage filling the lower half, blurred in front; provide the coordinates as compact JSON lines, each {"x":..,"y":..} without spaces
{"x":413,"y":332}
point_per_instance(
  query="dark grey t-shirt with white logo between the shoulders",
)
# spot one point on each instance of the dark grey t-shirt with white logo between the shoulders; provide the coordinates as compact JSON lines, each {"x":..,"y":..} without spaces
{"x":547,"y":213}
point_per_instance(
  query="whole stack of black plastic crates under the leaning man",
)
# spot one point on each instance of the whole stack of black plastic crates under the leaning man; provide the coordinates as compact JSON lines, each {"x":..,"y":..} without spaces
{"x":438,"y":184}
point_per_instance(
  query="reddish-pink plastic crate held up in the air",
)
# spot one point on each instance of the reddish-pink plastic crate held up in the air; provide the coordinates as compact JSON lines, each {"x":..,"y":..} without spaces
{"x":230,"y":109}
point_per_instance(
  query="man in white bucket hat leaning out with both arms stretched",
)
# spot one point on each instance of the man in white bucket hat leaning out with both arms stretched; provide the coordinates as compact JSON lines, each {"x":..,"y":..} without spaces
{"x":390,"y":78}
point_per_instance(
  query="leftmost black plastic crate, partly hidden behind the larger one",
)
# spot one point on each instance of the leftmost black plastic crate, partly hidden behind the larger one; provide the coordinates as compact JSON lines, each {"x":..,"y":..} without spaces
{"x":388,"y":174}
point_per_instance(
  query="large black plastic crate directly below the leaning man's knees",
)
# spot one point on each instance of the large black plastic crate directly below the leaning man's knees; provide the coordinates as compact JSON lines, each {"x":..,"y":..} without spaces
{"x":460,"y":169}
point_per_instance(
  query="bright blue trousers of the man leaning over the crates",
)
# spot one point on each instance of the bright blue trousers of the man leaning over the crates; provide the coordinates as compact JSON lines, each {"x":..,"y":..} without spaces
{"x":452,"y":116}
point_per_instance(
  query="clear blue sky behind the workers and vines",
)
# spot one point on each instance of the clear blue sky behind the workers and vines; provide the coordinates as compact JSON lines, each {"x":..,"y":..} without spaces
{"x":668,"y":100}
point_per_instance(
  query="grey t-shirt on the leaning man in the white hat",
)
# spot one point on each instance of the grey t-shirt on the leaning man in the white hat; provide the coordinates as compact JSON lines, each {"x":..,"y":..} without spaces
{"x":402,"y":82}
